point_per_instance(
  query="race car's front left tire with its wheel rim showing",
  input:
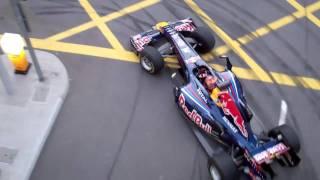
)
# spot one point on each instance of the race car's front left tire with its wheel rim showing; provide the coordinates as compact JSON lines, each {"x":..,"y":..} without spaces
{"x":151,"y":60}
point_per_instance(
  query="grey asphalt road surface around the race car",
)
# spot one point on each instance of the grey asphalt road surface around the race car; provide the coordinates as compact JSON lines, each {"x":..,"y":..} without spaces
{"x":118,"y":122}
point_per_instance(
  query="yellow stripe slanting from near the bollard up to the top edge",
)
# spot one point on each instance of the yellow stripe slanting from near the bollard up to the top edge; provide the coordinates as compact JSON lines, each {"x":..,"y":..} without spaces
{"x":85,"y":26}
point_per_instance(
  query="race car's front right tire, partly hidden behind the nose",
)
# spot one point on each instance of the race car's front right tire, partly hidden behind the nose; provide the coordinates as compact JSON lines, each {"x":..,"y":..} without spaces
{"x":204,"y":38}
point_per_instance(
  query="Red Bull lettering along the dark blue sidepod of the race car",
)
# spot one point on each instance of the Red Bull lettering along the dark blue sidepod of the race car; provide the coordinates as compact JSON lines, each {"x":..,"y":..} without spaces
{"x":193,"y":115}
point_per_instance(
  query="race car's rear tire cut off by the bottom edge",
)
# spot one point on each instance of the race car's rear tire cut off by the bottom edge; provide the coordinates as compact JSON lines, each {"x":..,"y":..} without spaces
{"x":222,"y":167}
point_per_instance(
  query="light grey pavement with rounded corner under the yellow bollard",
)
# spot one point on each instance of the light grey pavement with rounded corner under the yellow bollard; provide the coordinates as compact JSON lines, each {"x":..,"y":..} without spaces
{"x":27,"y":116}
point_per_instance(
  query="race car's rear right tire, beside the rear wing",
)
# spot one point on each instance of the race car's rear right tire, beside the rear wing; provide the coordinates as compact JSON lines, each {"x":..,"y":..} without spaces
{"x":289,"y":137}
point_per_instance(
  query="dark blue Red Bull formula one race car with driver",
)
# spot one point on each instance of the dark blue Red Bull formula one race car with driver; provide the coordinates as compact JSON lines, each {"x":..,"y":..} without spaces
{"x":221,"y":113}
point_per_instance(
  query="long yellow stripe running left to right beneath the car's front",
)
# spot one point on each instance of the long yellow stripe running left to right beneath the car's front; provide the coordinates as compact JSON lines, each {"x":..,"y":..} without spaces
{"x":127,"y":56}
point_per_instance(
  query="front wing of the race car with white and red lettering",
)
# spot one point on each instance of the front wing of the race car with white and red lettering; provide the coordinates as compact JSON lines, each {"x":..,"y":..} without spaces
{"x":142,"y":39}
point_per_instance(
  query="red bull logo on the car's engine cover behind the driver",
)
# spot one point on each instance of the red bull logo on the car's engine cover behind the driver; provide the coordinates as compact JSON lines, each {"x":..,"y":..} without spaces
{"x":230,"y":108}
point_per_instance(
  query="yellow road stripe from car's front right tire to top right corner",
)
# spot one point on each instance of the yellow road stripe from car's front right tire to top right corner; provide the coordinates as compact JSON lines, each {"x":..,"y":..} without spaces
{"x":272,"y":26}
